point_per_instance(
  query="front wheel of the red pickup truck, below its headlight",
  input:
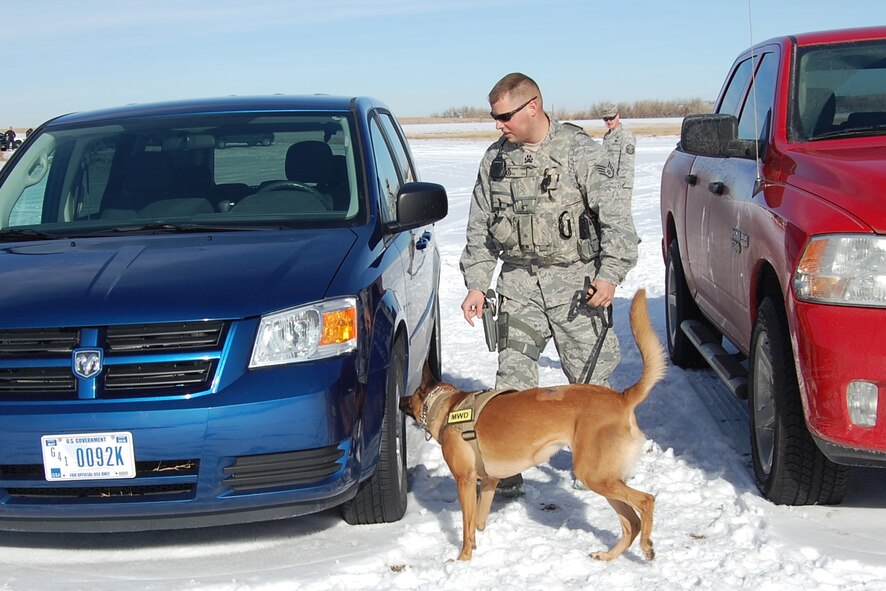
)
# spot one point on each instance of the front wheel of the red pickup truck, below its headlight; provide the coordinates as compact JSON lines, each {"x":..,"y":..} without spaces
{"x":788,"y":466}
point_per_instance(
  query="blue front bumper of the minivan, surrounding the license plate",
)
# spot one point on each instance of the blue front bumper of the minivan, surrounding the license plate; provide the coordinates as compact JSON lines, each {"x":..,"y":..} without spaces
{"x":273,"y":443}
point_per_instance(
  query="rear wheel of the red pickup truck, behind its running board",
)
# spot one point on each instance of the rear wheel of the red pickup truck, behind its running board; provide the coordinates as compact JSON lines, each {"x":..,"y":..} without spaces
{"x":679,"y":307}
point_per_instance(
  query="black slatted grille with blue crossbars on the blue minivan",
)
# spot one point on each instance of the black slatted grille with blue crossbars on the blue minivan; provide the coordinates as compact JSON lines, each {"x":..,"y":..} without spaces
{"x":36,"y":365}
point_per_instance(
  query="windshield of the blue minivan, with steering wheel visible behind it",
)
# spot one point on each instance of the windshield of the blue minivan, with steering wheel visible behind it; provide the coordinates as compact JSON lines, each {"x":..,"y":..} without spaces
{"x":217,"y":171}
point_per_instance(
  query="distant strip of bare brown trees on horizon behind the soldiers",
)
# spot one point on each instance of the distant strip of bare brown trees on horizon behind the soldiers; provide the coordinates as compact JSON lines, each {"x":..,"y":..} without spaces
{"x":637,"y":110}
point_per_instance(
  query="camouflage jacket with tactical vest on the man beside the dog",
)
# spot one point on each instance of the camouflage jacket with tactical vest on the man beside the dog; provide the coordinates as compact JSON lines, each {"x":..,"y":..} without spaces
{"x":532,"y":217}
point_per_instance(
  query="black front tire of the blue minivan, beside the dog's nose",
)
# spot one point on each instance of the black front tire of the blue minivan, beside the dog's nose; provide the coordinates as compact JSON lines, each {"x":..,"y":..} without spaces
{"x":382,"y":498}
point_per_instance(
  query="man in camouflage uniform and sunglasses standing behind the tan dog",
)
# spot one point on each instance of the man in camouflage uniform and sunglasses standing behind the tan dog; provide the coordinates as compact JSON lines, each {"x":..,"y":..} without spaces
{"x":538,"y":189}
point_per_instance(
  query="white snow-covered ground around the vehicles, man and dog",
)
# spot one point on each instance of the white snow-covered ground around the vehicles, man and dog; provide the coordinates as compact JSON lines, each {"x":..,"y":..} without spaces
{"x":712,"y":529}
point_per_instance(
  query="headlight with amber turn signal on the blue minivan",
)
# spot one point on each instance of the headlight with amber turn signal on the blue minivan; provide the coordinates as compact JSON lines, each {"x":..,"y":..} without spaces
{"x":316,"y":331}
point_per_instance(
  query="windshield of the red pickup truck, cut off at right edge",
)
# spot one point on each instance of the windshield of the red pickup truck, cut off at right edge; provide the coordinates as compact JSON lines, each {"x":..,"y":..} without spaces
{"x":840,"y":90}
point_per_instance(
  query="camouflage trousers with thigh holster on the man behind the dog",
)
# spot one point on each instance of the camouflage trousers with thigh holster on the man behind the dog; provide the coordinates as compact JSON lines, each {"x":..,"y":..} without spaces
{"x":575,"y":336}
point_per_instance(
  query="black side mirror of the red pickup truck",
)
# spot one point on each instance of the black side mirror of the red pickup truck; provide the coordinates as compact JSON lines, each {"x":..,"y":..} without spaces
{"x":715,"y":136}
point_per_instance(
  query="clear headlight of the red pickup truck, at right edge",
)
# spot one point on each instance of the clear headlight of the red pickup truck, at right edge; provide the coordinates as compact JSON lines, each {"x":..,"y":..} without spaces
{"x":847,"y":269}
